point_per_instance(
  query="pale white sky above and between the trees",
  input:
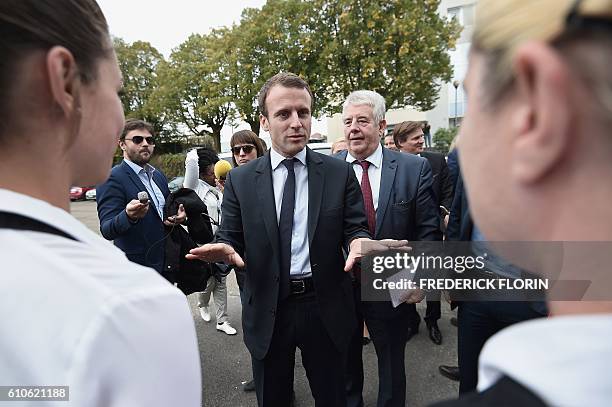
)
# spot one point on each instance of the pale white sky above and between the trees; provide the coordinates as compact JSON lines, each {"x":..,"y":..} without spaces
{"x":167,"y":24}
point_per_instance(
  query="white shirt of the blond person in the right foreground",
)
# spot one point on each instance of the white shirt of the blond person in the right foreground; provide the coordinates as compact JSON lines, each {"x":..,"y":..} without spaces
{"x":564,"y":360}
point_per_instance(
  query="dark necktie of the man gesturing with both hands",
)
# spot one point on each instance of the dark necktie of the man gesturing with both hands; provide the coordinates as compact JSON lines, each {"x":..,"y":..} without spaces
{"x":285,"y":227}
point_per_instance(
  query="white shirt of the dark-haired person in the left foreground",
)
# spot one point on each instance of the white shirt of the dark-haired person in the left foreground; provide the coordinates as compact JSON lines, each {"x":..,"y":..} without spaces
{"x":79,"y":314}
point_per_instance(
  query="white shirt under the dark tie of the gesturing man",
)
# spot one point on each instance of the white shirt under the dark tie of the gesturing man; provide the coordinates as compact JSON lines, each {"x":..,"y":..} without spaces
{"x":300,"y":252}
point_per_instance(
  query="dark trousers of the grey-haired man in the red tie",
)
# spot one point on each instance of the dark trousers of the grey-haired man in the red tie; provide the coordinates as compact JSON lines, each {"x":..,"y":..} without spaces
{"x":389,"y":337}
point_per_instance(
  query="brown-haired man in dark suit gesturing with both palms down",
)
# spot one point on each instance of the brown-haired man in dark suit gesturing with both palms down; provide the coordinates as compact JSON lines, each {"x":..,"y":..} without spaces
{"x":289,"y":214}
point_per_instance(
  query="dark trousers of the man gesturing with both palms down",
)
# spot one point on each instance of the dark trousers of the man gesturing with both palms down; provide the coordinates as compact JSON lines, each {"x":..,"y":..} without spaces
{"x":298,"y":324}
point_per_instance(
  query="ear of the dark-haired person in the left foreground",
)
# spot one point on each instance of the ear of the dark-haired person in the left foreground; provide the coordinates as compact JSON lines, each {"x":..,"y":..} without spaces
{"x":64,"y":80}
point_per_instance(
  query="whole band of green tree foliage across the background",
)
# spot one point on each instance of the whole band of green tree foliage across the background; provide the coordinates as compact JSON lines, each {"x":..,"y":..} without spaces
{"x":395,"y":47}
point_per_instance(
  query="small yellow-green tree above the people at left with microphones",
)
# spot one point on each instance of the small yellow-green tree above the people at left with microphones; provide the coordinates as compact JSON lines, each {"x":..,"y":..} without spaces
{"x":192,"y":88}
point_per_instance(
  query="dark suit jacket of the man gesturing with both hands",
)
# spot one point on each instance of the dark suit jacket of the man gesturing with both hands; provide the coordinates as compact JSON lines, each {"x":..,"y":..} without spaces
{"x":335,"y":217}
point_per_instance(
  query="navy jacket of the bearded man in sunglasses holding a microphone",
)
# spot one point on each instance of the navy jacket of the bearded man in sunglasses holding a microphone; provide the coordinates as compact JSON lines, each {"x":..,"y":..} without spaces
{"x":143,"y":241}
